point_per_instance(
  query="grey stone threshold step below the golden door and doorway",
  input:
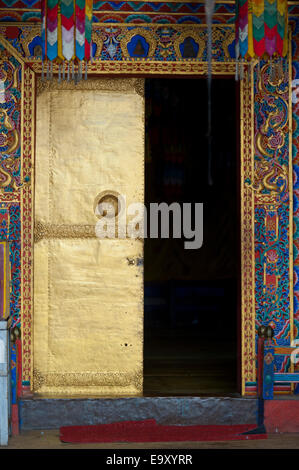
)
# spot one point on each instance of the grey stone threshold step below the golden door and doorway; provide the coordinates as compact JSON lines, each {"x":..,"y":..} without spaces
{"x":48,"y":413}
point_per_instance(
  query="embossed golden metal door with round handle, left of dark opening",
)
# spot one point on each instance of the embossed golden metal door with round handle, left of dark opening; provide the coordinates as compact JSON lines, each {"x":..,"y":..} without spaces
{"x":88,"y":293}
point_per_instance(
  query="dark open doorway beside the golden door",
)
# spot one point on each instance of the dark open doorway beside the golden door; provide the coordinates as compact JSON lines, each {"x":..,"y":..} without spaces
{"x":191,"y":296}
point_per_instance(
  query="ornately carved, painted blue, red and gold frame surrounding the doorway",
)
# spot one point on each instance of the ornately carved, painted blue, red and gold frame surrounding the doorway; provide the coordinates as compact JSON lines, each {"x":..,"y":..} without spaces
{"x":266,"y":168}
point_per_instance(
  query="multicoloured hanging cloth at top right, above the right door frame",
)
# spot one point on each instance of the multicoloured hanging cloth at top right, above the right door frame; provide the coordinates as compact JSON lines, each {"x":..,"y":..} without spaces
{"x":261,"y":28}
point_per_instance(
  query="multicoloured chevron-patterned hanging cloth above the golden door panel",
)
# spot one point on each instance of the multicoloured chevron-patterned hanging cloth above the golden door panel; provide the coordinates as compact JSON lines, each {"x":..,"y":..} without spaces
{"x":66,"y":30}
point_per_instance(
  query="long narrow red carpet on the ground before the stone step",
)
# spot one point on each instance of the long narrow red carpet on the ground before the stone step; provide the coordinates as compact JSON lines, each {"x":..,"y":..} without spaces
{"x":150,"y":431}
